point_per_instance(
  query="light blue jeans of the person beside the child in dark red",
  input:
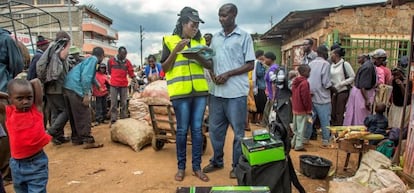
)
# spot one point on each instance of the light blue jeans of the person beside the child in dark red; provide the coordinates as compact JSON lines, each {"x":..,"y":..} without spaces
{"x":323,"y":111}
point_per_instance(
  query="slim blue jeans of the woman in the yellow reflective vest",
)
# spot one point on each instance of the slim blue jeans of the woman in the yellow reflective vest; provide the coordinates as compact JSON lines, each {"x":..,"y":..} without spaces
{"x":189,"y":112}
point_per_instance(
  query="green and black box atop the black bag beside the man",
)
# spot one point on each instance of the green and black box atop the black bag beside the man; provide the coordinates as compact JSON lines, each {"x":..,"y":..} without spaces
{"x":262,"y":152}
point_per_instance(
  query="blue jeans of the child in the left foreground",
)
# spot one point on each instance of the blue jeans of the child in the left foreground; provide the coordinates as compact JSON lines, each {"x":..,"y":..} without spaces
{"x":30,"y":174}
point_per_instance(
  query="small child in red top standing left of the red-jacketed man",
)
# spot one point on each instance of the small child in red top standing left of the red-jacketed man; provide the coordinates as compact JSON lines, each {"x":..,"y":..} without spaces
{"x":101,"y":94}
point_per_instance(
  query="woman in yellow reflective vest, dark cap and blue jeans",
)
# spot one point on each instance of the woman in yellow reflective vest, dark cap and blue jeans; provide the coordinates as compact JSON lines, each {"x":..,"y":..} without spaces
{"x":187,"y":87}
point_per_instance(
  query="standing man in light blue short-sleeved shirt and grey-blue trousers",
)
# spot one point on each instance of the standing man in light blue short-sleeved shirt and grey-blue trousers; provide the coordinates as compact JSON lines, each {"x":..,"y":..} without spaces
{"x":228,"y":100}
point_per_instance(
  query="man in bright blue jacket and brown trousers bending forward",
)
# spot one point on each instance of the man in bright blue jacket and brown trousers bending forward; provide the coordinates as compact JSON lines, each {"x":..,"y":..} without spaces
{"x":78,"y":85}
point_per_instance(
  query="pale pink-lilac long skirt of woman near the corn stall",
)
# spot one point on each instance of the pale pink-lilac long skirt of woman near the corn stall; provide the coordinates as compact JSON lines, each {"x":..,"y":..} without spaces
{"x":356,"y":112}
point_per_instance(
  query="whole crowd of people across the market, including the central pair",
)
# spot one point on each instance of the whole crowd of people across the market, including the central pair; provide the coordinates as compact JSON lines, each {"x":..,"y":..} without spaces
{"x":323,"y":88}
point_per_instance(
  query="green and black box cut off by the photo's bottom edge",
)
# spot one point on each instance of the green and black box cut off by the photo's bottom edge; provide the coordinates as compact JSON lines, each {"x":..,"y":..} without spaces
{"x":224,"y":189}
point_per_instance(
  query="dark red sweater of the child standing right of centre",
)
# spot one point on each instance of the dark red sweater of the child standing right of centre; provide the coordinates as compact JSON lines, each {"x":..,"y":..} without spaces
{"x":301,"y":97}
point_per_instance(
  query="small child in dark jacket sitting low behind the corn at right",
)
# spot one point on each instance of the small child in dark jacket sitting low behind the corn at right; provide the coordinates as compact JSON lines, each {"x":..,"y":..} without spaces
{"x":377,"y":123}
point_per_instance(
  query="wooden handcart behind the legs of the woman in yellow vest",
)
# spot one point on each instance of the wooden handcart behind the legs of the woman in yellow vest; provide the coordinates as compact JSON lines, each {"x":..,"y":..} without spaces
{"x":165,"y":127}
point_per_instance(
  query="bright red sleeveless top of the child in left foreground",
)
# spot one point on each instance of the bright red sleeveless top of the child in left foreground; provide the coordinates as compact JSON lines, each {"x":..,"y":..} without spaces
{"x":26,"y":132}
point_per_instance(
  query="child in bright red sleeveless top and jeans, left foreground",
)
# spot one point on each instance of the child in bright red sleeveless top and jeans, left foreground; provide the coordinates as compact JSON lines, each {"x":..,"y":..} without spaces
{"x":24,"y":123}
